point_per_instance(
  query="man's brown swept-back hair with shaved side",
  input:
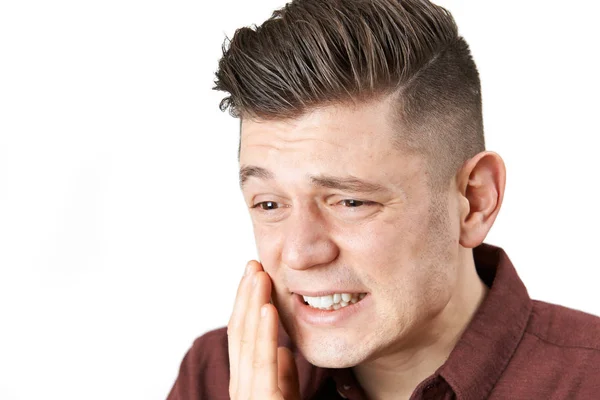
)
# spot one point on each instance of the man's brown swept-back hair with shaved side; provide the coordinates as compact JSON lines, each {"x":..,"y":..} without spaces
{"x":313,"y":53}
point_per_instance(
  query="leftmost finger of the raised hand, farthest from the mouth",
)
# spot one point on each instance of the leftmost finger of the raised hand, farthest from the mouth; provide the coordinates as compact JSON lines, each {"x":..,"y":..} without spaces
{"x":236,"y":323}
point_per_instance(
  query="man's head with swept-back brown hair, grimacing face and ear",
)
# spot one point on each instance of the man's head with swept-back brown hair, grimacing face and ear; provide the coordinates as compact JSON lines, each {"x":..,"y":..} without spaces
{"x":362,"y":164}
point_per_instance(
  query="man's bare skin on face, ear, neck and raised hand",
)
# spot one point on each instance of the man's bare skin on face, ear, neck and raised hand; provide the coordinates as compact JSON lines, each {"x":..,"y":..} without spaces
{"x":408,"y":248}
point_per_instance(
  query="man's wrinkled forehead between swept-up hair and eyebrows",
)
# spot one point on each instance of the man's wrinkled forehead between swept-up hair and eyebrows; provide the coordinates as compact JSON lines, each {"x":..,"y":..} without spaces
{"x":339,"y":140}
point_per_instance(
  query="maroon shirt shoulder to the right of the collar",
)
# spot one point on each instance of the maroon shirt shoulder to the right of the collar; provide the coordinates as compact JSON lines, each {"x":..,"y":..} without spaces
{"x":558,"y":356}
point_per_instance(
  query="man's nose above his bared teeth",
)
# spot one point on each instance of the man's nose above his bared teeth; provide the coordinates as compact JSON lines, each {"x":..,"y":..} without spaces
{"x":307,"y":242}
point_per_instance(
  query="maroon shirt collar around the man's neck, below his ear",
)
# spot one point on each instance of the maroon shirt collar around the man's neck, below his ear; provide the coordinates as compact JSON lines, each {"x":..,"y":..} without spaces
{"x":491,"y":338}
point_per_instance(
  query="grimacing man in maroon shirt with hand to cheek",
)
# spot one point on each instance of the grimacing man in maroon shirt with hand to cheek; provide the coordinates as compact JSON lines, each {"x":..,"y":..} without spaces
{"x":363,"y":164}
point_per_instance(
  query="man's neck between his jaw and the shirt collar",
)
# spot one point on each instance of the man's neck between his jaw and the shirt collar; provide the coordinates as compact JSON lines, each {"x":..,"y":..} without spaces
{"x":395,"y":376}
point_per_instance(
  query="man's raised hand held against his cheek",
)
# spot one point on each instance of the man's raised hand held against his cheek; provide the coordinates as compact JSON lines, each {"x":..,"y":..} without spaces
{"x":258,"y":369}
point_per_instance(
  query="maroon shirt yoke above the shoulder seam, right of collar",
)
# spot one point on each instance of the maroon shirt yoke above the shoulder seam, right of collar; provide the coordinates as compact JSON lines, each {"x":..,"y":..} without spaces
{"x":564,"y":327}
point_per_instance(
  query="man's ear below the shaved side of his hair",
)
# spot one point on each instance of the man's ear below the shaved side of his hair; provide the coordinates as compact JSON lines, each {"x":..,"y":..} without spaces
{"x":481,"y":181}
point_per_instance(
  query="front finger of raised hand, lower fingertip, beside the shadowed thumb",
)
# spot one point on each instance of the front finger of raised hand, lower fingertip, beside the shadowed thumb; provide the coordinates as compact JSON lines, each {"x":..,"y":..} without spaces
{"x":264,"y":385}
